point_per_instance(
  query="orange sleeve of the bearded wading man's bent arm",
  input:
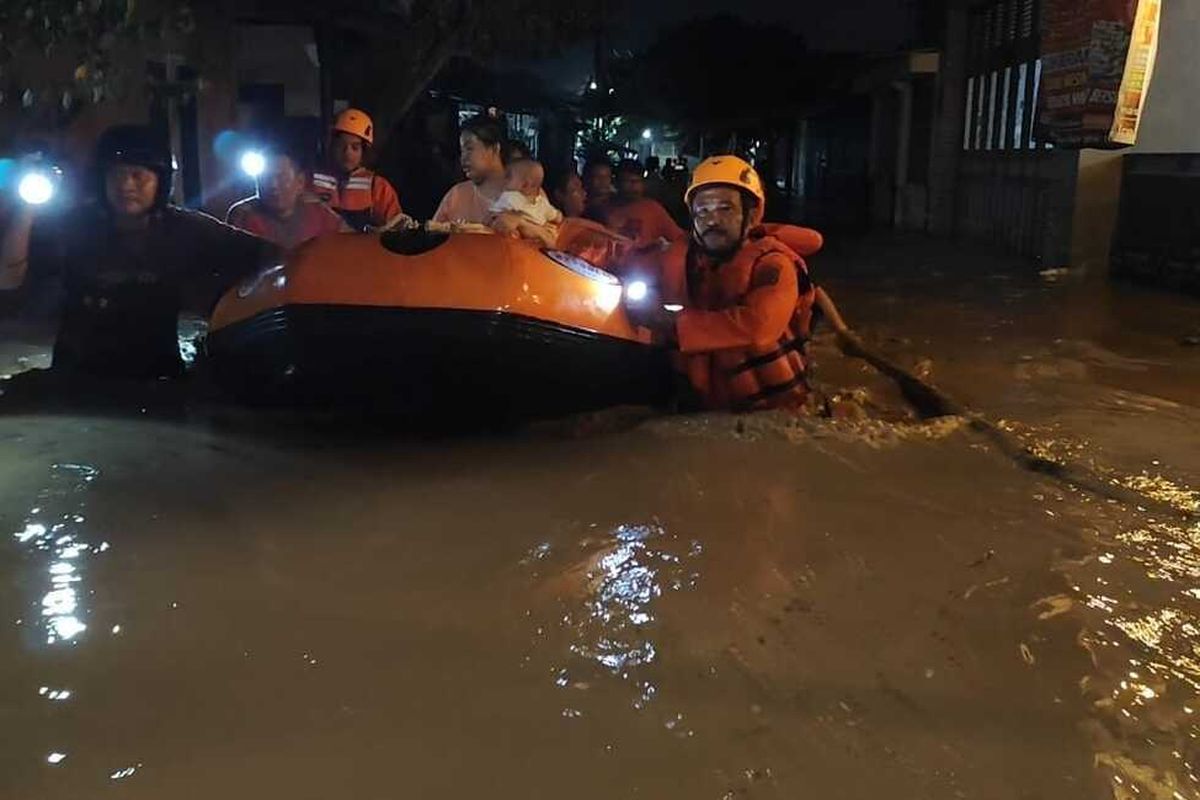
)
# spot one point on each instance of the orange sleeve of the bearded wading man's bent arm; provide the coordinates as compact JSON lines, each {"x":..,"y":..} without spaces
{"x":761,"y":316}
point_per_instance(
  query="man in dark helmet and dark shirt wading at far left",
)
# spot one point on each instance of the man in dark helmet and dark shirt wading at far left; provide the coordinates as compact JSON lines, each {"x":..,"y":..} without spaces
{"x":129,"y":262}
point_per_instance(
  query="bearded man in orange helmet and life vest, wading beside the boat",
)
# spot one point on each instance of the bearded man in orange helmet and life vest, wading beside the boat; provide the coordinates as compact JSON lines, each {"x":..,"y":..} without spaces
{"x":747,"y":298}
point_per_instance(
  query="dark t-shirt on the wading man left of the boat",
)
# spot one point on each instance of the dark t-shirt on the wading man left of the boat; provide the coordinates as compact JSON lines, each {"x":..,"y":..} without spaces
{"x":124,"y":291}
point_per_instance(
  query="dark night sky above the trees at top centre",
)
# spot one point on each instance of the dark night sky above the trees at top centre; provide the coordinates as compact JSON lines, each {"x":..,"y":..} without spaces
{"x":848,"y":26}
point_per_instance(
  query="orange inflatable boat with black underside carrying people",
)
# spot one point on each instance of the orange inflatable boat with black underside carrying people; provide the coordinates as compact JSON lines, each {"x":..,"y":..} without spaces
{"x":421,"y":321}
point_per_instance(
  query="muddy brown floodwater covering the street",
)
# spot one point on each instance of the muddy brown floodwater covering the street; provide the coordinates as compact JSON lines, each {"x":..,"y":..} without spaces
{"x":698,"y":607}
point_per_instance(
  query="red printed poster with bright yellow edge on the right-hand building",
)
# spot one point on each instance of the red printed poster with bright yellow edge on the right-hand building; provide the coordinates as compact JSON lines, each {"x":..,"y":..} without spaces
{"x":1097,"y":61}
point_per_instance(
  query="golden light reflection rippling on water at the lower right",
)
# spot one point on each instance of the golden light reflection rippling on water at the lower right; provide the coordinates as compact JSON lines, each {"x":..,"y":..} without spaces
{"x":1142,"y":613}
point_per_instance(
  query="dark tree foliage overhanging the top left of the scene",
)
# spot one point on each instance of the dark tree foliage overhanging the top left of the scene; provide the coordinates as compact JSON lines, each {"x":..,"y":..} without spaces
{"x":381,"y":53}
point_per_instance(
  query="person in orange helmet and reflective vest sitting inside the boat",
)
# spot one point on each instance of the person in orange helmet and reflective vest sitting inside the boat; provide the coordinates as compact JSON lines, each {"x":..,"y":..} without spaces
{"x":364,"y":200}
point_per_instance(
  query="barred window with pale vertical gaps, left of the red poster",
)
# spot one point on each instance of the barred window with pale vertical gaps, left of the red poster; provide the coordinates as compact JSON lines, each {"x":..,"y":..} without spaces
{"x":1004,"y":76}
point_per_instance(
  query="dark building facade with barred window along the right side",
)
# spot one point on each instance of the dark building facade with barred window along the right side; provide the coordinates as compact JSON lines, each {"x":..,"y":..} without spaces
{"x":944,"y":141}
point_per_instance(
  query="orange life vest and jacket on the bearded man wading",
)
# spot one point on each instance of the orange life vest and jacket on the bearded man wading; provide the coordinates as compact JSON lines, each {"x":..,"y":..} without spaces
{"x":746,"y":324}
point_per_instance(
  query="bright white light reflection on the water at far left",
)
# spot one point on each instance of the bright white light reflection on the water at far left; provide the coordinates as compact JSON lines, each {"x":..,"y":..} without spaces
{"x":55,"y":527}
